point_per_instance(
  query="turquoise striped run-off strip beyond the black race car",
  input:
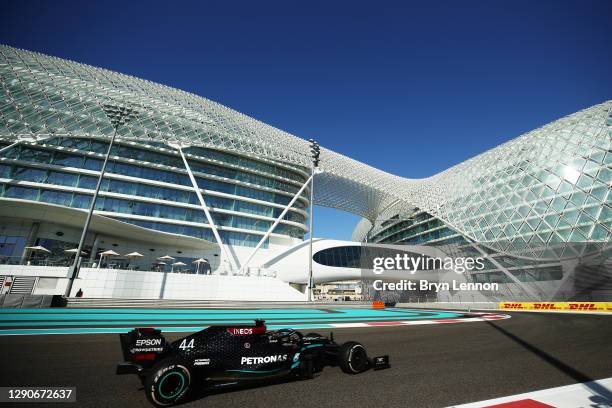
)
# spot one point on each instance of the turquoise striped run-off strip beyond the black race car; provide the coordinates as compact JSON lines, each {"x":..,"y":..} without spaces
{"x":103,"y":320}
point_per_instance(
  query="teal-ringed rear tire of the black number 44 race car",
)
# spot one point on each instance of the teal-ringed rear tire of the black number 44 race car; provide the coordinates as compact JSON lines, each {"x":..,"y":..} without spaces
{"x":168,"y":382}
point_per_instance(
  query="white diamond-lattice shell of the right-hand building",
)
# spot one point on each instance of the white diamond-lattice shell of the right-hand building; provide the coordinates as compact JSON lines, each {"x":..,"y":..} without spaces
{"x":549,"y":186}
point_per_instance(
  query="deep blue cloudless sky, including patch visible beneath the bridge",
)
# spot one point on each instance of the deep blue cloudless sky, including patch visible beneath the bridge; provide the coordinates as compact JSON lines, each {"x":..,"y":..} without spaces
{"x":409,"y":87}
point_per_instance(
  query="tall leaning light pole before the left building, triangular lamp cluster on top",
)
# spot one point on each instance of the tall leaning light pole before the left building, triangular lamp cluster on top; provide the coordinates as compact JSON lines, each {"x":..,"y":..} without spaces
{"x":118,"y":116}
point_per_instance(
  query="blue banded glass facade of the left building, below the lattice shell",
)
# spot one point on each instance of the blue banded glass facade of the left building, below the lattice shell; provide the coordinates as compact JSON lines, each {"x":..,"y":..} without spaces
{"x":52,"y":169}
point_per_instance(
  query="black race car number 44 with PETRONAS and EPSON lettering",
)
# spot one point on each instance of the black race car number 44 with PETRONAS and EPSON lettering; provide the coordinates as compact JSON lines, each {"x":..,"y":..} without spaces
{"x":220,"y":356}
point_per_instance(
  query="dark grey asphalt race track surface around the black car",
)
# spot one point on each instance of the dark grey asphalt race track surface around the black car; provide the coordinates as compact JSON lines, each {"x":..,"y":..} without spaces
{"x":432,"y":365}
